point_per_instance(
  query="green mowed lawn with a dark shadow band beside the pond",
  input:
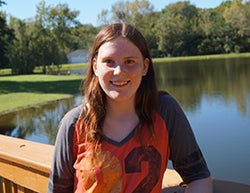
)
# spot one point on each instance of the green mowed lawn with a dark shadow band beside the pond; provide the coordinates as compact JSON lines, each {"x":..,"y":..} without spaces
{"x":25,"y":90}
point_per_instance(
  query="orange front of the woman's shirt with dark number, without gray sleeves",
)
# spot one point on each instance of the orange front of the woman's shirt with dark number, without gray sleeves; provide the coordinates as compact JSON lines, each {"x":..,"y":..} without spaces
{"x":126,"y":166}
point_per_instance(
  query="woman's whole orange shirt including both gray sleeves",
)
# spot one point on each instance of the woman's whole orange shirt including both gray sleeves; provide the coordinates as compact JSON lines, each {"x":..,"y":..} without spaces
{"x":127,"y":166}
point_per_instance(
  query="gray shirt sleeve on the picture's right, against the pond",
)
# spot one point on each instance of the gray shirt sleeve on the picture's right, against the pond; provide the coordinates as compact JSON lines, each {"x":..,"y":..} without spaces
{"x":185,"y":153}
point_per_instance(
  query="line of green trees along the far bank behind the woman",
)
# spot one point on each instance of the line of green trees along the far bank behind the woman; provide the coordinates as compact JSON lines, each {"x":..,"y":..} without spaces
{"x":180,"y":29}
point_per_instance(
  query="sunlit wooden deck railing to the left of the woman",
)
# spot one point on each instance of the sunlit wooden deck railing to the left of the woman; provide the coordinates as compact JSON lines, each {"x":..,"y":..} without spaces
{"x":24,"y":165}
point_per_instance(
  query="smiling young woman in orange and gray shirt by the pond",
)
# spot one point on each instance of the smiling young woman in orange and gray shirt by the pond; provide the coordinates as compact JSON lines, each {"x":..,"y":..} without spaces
{"x":122,"y":136}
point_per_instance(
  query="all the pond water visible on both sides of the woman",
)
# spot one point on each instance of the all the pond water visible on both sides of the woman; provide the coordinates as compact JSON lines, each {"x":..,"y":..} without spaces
{"x":215,"y":95}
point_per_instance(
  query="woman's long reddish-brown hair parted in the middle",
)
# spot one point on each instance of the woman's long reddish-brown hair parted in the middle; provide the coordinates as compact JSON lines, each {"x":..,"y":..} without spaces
{"x":94,"y":109}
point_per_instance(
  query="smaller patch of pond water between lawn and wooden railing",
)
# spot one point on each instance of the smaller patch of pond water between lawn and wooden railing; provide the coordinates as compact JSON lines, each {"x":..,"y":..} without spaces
{"x":38,"y":123}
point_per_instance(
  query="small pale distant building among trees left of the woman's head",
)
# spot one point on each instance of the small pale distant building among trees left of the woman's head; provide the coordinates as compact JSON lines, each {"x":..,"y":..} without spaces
{"x":78,"y":56}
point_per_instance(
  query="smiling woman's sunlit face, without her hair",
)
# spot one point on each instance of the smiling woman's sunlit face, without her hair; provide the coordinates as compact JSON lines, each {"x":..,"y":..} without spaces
{"x":119,"y":67}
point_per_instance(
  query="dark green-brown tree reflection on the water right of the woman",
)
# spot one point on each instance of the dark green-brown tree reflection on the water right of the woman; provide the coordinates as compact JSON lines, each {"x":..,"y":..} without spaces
{"x":190,"y":80}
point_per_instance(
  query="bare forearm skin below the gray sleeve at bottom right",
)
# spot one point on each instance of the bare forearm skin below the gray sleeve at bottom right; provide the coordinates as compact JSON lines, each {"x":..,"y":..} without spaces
{"x":203,"y":185}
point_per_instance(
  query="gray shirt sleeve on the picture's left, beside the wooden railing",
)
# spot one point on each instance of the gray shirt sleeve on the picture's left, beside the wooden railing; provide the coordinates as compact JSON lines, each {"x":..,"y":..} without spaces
{"x":61,"y":178}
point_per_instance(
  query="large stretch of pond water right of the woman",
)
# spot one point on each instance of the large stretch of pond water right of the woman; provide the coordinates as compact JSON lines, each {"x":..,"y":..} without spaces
{"x":215,"y":94}
